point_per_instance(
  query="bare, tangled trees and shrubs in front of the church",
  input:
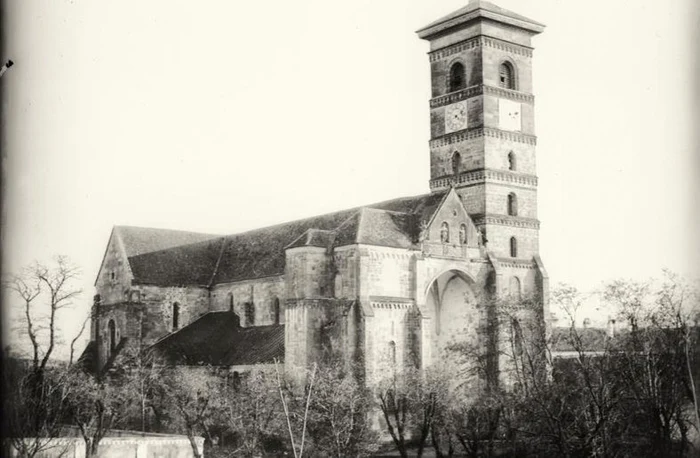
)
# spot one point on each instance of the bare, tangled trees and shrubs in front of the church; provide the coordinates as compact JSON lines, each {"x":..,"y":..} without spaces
{"x":632,"y":394}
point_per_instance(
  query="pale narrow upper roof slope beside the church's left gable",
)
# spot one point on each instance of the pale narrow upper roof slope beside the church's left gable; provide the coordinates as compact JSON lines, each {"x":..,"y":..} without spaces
{"x":141,"y":240}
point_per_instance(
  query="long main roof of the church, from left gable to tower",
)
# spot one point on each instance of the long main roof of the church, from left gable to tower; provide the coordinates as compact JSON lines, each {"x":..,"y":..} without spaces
{"x":205,"y":259}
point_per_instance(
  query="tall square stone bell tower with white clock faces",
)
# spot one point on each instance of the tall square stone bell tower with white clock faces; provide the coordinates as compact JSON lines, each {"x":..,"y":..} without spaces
{"x":482,"y":130}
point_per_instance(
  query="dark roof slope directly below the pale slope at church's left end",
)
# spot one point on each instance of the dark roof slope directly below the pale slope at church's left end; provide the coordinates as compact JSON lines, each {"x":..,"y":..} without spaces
{"x":184,"y":265}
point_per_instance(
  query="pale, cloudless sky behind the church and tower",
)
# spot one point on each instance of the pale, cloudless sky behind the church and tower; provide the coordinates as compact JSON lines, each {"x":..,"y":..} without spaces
{"x":220,"y":116}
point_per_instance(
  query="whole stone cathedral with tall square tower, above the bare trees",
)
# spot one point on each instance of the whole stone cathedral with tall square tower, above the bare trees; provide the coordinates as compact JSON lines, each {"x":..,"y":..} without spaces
{"x":393,"y":282}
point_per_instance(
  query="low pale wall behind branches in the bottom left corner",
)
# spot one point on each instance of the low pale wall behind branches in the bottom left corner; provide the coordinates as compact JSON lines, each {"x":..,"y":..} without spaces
{"x":125,"y":444}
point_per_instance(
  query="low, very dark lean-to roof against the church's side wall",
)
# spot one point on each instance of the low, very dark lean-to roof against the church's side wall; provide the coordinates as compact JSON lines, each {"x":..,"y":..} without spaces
{"x":218,"y":339}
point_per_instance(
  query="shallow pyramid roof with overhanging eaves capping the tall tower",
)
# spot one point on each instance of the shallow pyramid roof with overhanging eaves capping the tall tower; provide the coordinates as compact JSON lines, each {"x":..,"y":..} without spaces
{"x":480,"y":8}
